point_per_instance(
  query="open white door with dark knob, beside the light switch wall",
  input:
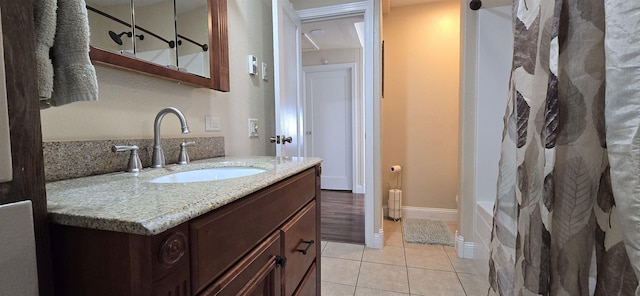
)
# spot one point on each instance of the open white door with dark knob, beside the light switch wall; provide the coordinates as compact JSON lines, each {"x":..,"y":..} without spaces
{"x":287,"y":56}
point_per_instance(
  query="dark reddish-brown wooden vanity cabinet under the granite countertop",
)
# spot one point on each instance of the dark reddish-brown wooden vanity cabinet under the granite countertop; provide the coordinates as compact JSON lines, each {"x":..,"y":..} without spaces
{"x":267,"y":243}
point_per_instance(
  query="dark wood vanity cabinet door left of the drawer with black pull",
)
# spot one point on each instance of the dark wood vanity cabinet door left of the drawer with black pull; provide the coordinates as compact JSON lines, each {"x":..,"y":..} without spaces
{"x":257,"y":274}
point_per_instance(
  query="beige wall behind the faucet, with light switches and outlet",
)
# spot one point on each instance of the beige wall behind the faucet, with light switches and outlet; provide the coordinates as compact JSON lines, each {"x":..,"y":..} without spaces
{"x":129,"y":102}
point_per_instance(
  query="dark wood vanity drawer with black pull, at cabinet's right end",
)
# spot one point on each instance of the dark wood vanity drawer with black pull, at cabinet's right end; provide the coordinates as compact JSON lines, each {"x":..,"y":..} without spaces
{"x":299,"y":243}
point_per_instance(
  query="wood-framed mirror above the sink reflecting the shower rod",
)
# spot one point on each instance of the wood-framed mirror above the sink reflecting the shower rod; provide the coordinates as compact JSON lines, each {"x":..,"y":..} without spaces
{"x":182,"y":40}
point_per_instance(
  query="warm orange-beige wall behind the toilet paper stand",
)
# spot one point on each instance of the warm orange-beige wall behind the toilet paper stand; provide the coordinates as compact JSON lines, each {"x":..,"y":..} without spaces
{"x":420,"y":105}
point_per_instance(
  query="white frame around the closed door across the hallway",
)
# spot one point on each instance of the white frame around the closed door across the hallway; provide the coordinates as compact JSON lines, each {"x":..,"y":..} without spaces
{"x":357,"y":103}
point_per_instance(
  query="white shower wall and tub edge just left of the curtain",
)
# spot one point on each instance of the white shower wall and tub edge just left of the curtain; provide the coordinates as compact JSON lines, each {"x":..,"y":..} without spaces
{"x":495,"y":53}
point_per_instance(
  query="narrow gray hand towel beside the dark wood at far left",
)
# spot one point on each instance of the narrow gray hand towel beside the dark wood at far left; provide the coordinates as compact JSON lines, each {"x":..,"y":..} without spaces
{"x":44,"y":19}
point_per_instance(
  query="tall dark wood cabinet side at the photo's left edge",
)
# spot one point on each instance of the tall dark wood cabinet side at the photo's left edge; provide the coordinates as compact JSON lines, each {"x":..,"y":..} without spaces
{"x":24,"y":123}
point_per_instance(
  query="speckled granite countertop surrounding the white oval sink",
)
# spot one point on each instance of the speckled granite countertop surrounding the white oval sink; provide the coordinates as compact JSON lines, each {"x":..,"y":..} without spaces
{"x":127,"y":202}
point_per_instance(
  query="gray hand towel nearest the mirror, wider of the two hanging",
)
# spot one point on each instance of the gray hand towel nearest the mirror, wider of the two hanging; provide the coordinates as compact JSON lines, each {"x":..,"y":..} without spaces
{"x":74,"y":75}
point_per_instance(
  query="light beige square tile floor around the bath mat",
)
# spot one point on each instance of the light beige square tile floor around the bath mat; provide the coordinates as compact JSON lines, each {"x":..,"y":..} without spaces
{"x":399,"y":268}
